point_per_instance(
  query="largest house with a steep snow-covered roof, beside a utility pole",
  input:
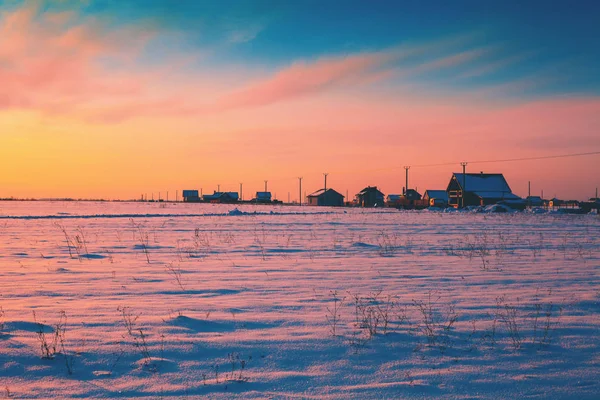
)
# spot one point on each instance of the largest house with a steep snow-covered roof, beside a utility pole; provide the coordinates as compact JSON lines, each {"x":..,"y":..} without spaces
{"x":478,"y":189}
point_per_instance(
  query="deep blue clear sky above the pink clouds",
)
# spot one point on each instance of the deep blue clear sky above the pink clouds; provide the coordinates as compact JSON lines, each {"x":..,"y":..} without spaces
{"x":554,"y":40}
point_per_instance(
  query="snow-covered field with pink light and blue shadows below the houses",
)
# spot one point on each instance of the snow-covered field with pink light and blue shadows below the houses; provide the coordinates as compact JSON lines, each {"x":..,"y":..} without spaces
{"x":149,"y":300}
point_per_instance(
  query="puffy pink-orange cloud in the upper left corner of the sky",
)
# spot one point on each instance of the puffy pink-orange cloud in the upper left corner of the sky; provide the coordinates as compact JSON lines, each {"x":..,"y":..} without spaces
{"x":48,"y":65}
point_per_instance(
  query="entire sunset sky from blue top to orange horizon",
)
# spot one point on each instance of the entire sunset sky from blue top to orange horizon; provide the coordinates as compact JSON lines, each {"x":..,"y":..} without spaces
{"x":113,"y":99}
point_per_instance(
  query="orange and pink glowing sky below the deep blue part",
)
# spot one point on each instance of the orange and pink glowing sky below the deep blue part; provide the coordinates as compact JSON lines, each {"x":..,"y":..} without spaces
{"x":98,"y":110}
